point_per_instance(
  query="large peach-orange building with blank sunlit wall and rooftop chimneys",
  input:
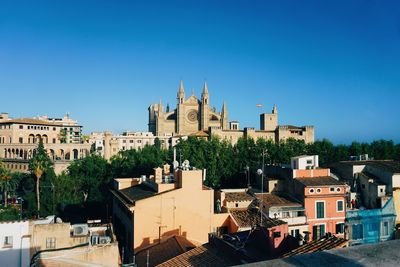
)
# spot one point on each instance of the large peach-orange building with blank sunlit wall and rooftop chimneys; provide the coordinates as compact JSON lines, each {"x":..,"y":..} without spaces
{"x":148,"y":210}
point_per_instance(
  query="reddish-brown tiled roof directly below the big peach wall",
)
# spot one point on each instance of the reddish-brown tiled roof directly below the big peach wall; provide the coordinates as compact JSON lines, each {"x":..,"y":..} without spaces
{"x":164,"y":251}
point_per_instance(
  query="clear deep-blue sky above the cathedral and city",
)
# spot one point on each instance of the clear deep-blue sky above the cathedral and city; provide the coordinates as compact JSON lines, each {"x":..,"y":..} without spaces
{"x":331,"y":64}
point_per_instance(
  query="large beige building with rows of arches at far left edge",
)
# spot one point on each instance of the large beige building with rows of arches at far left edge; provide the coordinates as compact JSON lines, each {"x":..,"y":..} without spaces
{"x":61,"y":137}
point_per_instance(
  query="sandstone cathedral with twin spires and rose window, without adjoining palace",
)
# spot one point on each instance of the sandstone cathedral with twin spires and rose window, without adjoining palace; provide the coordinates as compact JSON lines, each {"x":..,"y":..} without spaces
{"x":191,"y":116}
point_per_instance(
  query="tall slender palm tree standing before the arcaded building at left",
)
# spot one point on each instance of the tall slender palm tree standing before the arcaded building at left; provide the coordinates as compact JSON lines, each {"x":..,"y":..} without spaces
{"x":38,"y":165}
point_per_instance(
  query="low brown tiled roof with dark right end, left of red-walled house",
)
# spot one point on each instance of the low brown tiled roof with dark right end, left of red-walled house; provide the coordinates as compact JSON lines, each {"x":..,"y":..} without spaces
{"x":250,"y":217}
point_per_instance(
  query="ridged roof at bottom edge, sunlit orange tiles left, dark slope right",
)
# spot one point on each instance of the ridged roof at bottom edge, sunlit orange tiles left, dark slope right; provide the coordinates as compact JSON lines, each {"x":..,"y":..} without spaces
{"x":203,"y":256}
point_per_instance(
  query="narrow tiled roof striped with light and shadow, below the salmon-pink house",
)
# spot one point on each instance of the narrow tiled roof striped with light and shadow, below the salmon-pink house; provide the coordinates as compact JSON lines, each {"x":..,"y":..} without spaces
{"x":324,"y":243}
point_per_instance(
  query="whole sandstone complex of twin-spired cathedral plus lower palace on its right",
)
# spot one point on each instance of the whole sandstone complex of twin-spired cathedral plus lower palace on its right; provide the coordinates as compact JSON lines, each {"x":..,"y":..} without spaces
{"x":196,"y":117}
